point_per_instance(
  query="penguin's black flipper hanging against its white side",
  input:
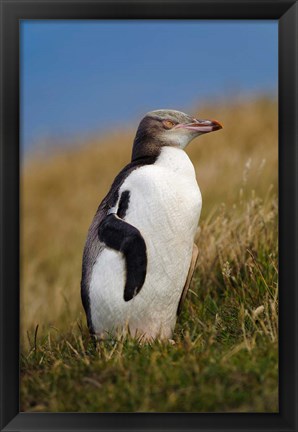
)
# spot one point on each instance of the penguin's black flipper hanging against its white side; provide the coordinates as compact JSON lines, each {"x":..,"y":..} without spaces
{"x":123,"y":237}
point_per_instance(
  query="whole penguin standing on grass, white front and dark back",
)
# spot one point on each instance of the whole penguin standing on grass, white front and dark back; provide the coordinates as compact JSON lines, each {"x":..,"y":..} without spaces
{"x":140,"y":255}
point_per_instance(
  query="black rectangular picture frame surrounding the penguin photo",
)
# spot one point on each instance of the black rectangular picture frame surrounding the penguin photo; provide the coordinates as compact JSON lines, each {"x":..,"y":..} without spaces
{"x":286,"y":11}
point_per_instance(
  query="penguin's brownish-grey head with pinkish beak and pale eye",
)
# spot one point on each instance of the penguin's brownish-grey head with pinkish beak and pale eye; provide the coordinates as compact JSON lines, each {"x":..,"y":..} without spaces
{"x":167,"y":127}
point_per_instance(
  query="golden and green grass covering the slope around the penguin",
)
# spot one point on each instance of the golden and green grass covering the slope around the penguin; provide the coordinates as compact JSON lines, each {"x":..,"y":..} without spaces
{"x":225,"y":356}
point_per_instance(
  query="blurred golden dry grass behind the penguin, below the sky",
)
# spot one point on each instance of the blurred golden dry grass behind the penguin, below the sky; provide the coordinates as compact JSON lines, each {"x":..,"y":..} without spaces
{"x":235,"y":168}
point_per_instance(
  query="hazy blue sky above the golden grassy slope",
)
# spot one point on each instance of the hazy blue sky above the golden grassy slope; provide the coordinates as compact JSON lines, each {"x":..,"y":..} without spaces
{"x":83,"y":77}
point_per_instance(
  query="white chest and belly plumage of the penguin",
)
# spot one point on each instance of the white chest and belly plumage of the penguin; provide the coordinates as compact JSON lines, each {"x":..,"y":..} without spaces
{"x":164,"y":205}
